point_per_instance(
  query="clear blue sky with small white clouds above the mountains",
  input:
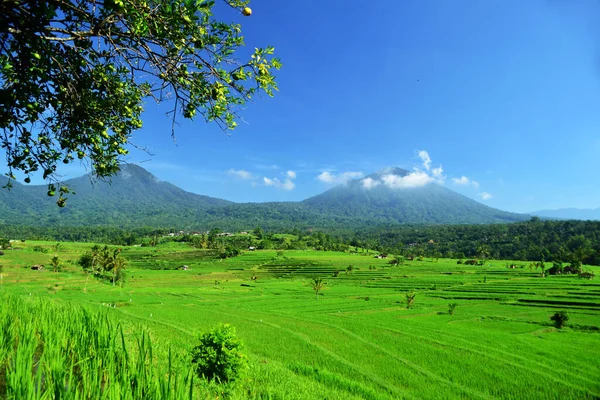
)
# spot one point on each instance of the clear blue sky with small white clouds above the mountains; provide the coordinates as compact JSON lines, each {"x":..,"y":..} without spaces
{"x":504,"y":95}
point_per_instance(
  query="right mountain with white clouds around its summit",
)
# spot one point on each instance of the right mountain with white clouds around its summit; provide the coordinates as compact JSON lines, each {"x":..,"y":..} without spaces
{"x":429,"y":203}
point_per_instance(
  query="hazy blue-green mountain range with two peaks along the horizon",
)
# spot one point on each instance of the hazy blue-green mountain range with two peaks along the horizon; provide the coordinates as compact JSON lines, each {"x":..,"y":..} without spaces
{"x":135,"y":198}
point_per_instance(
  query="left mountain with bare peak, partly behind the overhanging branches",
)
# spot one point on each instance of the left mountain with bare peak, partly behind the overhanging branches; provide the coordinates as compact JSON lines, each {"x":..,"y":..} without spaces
{"x":132,"y":198}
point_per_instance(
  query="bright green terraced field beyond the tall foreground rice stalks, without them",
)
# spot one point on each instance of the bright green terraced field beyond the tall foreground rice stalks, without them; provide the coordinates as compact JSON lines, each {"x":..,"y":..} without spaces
{"x":355,"y":340}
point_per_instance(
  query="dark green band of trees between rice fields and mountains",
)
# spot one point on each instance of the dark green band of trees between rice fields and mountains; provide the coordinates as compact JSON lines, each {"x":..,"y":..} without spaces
{"x":534,"y":240}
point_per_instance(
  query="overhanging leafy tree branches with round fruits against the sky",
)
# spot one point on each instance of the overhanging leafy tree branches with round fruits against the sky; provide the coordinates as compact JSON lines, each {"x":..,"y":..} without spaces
{"x":74,"y":75}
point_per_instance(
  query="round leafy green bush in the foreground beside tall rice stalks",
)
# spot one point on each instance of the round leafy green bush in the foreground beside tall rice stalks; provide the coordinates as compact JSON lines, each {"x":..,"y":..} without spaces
{"x":218,"y":357}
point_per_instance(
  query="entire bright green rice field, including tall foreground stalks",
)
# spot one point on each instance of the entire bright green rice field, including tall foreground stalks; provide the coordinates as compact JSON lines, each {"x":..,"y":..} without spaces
{"x":471,"y":331}
